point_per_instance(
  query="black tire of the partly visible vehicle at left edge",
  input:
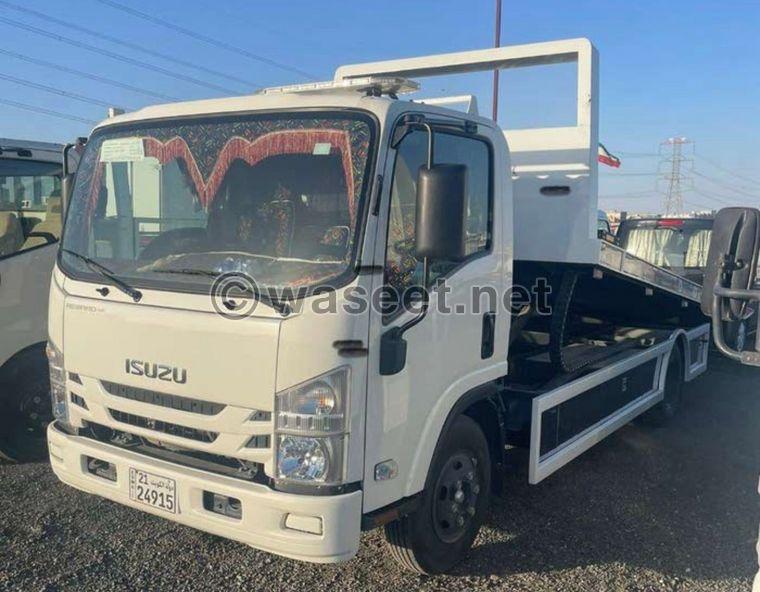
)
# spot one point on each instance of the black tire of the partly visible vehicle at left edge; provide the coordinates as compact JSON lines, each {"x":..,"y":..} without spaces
{"x":25,"y":407}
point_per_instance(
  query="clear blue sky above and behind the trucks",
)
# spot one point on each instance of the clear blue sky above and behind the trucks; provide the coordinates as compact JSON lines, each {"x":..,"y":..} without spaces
{"x":667,"y":69}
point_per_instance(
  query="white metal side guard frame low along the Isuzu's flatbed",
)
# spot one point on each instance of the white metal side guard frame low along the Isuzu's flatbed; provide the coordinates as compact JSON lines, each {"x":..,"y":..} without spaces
{"x":541,"y":467}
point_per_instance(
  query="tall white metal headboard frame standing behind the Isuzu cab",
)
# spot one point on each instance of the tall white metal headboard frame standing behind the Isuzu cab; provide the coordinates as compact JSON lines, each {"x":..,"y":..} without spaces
{"x":540,"y":157}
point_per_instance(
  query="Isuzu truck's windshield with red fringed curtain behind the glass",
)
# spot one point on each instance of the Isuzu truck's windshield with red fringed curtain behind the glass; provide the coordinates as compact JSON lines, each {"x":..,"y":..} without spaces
{"x":172,"y":205}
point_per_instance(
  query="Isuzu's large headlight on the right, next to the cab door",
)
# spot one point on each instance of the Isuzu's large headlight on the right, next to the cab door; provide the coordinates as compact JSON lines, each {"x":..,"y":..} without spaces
{"x":310,"y":429}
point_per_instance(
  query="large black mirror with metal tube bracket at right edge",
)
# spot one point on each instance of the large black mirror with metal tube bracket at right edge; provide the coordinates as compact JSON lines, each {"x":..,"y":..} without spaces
{"x":729,"y":293}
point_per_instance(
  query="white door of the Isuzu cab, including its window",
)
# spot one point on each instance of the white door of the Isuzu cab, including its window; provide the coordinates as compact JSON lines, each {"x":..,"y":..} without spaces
{"x":461,"y":341}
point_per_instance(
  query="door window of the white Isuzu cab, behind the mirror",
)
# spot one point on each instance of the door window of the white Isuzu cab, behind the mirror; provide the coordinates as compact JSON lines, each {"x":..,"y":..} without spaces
{"x":402,"y":269}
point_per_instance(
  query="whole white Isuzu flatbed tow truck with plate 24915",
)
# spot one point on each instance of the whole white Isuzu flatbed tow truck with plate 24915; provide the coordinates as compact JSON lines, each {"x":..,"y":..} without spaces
{"x":288,"y":317}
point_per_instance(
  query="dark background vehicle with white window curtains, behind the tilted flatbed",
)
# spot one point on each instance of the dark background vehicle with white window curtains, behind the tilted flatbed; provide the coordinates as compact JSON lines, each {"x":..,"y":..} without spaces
{"x":678,"y":244}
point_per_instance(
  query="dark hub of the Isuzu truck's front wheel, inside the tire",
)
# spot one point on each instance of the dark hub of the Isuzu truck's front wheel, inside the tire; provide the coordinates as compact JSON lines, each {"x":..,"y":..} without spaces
{"x":456,"y":494}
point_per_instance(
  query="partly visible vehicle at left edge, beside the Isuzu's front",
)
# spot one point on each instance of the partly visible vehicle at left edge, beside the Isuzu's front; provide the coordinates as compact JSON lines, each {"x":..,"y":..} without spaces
{"x":30,"y":225}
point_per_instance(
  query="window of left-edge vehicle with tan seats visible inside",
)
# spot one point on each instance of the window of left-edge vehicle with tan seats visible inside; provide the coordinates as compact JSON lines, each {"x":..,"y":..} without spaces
{"x":30,"y":205}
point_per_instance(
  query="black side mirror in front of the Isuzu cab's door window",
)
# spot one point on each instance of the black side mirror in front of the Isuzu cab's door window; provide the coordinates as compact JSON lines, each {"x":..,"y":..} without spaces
{"x":441,"y":212}
